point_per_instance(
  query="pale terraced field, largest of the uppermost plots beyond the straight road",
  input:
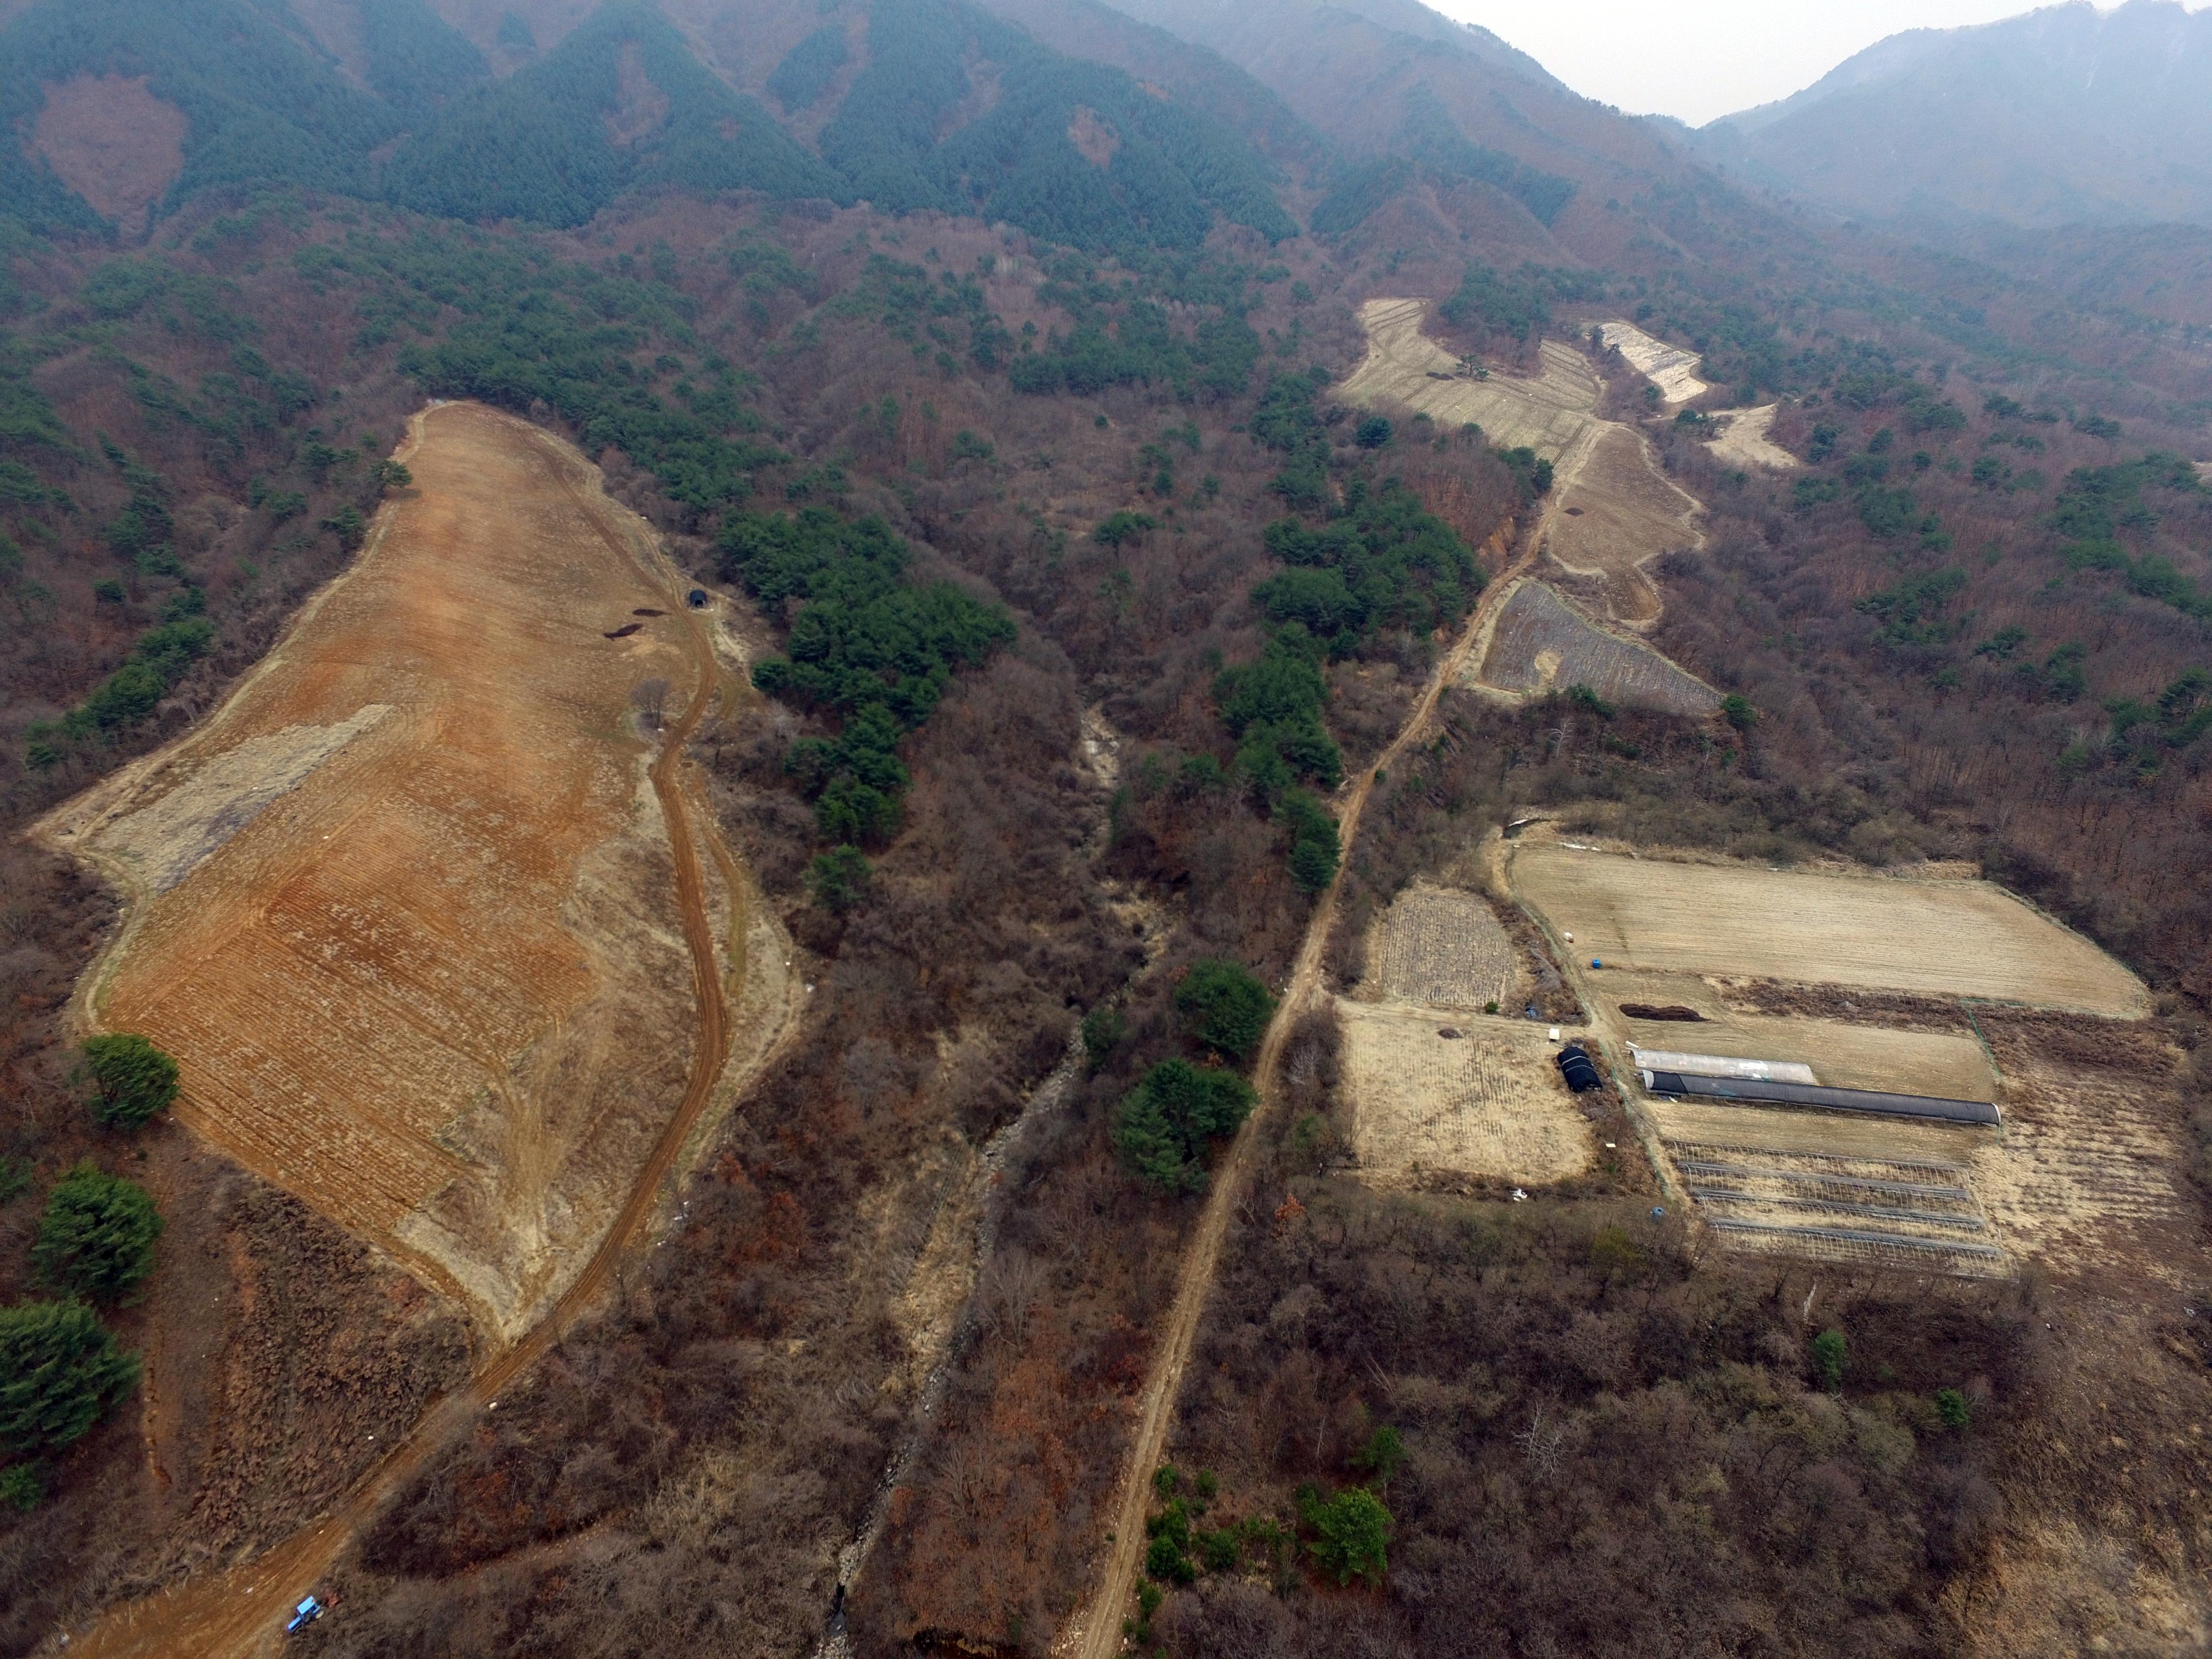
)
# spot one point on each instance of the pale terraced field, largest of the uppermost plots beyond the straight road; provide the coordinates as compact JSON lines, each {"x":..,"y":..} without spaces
{"x":1408,"y":371}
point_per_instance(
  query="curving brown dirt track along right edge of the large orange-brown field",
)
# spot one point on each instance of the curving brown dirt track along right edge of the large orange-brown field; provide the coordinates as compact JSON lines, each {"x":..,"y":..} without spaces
{"x":242,"y":1611}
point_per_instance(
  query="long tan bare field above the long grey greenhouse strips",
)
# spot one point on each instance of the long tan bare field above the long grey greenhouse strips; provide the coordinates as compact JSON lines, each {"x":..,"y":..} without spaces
{"x":1932,"y":937}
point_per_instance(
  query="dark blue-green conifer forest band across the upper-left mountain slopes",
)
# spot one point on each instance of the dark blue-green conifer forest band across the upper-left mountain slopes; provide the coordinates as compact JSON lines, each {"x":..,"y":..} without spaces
{"x":570,"y":132}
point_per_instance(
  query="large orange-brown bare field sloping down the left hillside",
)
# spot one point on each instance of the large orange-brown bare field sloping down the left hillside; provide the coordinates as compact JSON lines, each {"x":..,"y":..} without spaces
{"x":406,"y":908}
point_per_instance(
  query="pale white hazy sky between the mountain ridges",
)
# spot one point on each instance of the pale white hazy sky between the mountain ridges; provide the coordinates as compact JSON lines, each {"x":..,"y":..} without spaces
{"x":1704,"y":59}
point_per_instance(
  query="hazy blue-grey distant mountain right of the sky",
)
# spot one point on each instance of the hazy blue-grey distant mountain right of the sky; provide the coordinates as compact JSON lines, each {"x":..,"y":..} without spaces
{"x":2063,"y":116}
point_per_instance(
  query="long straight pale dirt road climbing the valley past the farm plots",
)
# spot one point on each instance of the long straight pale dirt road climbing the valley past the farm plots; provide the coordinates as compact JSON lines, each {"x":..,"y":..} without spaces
{"x":1098,"y":1636}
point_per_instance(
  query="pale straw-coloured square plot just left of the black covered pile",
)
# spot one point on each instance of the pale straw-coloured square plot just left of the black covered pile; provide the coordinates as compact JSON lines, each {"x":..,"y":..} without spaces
{"x":1488,"y":1103}
